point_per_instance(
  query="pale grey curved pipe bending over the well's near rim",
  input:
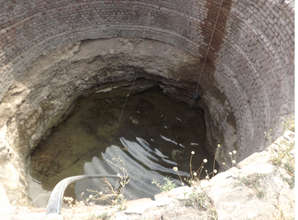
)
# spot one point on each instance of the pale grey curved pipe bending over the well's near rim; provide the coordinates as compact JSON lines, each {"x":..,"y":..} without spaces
{"x":56,"y":197}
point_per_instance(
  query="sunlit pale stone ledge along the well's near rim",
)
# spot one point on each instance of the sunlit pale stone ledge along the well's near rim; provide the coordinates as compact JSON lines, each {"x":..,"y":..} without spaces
{"x":259,"y":187}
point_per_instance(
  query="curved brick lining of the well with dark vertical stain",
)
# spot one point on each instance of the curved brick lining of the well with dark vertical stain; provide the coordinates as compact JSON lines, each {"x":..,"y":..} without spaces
{"x":250,"y":57}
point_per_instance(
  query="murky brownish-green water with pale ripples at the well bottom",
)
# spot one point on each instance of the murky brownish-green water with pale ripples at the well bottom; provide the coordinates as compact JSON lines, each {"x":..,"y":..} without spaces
{"x":147,"y":134}
